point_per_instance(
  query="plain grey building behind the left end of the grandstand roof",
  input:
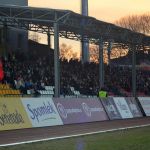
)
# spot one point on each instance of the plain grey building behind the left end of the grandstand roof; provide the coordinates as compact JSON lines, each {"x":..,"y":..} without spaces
{"x":16,"y":39}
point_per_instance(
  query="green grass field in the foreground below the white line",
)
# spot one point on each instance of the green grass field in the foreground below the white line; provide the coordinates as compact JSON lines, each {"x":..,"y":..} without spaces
{"x":132,"y":139}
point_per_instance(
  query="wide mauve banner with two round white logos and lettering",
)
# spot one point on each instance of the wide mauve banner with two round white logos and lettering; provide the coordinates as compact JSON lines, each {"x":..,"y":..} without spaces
{"x":80,"y":110}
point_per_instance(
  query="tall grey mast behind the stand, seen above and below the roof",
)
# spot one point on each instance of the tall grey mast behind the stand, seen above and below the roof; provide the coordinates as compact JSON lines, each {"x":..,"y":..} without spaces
{"x":85,"y":45}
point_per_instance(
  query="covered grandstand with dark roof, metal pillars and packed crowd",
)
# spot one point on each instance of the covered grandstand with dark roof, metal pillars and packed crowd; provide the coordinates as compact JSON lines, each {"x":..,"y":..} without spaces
{"x":33,"y":73}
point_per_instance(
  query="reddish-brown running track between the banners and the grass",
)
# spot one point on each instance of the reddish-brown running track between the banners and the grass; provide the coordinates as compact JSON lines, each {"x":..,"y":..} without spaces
{"x":13,"y":136}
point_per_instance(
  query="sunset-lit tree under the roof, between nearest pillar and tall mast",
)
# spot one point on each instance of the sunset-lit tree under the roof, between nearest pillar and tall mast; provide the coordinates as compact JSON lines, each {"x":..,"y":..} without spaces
{"x":66,"y":52}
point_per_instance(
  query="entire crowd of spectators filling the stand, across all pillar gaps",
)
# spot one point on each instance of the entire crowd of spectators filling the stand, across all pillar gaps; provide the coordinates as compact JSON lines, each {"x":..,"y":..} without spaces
{"x":32,"y":72}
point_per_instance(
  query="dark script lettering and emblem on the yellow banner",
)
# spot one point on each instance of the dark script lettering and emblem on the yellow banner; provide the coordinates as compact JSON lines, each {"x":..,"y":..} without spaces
{"x":11,"y":118}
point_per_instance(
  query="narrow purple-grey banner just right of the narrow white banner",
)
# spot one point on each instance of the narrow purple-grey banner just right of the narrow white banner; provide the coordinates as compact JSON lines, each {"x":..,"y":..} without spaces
{"x":133,"y":107}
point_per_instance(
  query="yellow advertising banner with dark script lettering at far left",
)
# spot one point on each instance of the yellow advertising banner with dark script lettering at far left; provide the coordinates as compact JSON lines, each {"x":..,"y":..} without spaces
{"x":12,"y":114}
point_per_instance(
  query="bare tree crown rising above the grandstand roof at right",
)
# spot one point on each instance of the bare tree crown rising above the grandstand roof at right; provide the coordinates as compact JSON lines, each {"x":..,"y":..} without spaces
{"x":137,"y":23}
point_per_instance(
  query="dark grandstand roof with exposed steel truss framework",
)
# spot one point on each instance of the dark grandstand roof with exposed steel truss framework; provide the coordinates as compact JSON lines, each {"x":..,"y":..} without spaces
{"x":71,"y":25}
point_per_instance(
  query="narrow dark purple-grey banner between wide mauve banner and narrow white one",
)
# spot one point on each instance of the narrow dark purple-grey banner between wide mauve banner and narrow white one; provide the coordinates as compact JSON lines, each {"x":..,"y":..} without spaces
{"x":111,"y":108}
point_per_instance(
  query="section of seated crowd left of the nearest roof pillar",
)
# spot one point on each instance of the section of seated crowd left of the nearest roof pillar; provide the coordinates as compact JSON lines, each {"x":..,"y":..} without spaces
{"x":27,"y":72}
